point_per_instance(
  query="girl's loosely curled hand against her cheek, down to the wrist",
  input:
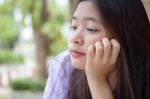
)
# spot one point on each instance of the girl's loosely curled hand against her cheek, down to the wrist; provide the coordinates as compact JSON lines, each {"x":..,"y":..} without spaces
{"x":101,"y":62}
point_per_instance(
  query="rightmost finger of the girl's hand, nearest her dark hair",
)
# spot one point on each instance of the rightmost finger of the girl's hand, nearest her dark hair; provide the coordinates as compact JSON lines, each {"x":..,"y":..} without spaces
{"x":115,"y":50}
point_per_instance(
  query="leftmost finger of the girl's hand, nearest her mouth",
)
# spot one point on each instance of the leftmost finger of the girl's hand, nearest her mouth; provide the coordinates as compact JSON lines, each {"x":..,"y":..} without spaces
{"x":90,"y":54}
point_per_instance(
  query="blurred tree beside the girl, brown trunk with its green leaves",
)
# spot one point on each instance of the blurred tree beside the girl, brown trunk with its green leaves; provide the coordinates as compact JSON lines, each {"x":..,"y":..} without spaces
{"x":46,"y":23}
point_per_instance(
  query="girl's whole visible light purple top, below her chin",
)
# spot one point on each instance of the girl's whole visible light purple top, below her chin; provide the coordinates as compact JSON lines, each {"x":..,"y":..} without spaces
{"x":59,"y":69}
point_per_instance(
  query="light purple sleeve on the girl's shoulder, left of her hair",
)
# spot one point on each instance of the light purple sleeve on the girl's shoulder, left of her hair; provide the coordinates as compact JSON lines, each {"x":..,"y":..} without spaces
{"x":54,"y":85}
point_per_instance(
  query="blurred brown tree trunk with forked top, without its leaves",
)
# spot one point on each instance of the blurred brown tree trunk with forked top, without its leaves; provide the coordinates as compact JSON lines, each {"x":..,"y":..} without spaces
{"x":41,"y":40}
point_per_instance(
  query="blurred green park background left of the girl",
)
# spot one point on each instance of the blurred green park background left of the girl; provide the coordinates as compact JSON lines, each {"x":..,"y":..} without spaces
{"x":31,"y":32}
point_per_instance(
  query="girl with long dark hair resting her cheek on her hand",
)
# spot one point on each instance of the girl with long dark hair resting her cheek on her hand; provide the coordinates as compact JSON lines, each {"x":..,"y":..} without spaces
{"x":108,"y":54}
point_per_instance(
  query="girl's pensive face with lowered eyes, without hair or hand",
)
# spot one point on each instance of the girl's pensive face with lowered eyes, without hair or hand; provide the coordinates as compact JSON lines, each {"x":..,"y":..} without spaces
{"x":87,"y":28}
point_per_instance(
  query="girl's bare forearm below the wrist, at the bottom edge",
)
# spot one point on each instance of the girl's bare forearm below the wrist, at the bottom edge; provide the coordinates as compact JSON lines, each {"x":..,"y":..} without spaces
{"x":100,"y":90}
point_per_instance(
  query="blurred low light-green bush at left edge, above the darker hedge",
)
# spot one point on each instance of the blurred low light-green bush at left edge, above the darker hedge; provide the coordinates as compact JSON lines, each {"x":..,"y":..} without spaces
{"x":9,"y":57}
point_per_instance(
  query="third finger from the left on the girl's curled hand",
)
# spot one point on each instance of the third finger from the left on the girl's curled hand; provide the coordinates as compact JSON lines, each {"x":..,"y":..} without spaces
{"x":107,"y":49}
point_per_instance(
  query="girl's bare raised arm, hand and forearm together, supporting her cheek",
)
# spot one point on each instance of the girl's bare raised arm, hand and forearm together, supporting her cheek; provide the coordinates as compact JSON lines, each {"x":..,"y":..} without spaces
{"x":100,"y":64}
